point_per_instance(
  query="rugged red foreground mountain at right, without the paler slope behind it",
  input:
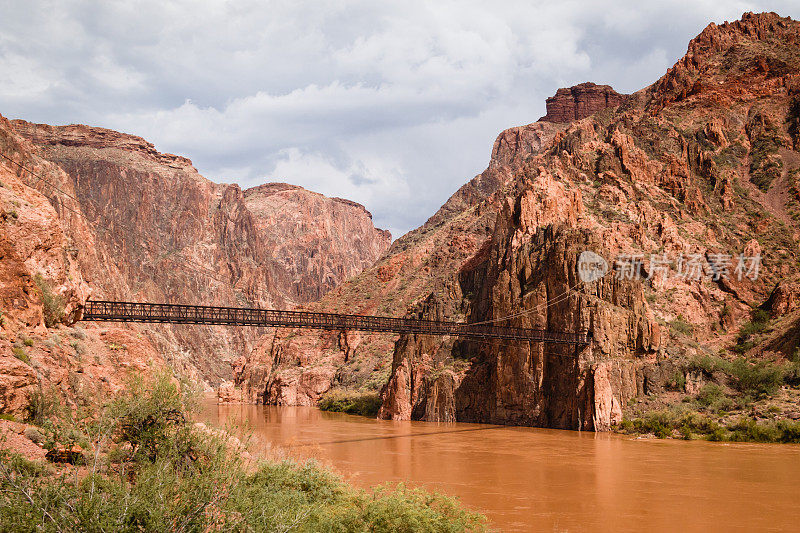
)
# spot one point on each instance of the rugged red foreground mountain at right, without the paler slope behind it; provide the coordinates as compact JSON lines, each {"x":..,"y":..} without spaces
{"x":675,"y":172}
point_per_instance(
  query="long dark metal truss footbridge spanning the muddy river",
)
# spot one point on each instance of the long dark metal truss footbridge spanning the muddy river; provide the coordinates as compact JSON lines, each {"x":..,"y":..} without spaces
{"x":238,"y":316}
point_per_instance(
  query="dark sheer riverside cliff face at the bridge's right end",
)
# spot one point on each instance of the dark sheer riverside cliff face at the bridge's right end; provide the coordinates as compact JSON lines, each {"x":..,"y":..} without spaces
{"x":549,"y":385}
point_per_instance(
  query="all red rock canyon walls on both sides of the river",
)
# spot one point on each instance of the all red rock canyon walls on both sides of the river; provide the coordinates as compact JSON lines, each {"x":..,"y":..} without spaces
{"x":701,"y":163}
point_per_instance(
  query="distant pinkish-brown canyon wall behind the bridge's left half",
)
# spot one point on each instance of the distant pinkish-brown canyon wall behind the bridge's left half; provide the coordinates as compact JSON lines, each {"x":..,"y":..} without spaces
{"x":162,"y":232}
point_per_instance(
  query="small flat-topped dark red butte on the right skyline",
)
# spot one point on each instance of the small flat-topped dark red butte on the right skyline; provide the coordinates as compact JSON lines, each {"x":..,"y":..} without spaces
{"x":580,"y":101}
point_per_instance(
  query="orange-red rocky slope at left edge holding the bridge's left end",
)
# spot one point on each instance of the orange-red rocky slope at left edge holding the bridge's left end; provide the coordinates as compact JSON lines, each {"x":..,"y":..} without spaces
{"x":43,"y":244}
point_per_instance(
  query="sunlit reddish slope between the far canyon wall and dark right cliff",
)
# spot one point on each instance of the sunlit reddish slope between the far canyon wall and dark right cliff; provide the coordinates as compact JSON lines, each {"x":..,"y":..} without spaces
{"x":296,"y":368}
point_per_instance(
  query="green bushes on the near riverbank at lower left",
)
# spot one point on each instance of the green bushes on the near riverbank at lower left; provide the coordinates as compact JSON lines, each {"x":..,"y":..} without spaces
{"x":139,"y":464}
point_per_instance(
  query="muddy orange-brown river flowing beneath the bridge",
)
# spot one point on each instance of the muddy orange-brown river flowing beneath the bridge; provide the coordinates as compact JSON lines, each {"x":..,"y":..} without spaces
{"x":528,"y":479}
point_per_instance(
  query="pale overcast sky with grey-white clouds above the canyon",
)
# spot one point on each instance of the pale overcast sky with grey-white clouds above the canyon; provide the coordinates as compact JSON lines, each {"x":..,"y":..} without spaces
{"x":391,"y":104}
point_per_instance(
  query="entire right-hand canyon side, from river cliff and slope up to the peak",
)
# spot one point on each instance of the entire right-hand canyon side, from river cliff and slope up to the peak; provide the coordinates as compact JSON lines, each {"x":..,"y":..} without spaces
{"x":701,"y":163}
